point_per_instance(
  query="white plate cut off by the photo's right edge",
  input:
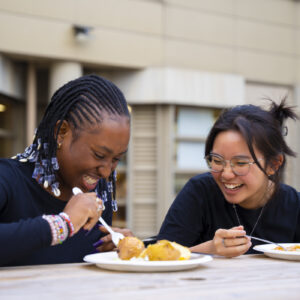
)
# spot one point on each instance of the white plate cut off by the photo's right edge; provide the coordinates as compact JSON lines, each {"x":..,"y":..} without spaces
{"x":268,"y":250}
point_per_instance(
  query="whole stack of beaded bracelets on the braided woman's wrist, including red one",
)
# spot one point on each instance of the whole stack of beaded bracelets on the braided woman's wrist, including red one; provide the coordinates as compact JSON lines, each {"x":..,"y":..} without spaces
{"x":61,"y":227}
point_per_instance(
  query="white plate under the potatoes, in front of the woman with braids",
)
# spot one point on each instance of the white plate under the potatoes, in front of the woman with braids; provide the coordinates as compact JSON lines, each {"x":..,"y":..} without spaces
{"x":110,"y":261}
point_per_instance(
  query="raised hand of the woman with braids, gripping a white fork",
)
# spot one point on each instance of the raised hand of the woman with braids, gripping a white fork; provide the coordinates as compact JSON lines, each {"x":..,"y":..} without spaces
{"x":84,"y":210}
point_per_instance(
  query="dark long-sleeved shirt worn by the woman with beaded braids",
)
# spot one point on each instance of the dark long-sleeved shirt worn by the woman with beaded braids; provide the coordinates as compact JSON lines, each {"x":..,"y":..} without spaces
{"x":25,"y":237}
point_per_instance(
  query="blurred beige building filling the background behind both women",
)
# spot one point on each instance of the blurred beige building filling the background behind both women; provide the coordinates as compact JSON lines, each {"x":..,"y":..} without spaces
{"x":178,"y":62}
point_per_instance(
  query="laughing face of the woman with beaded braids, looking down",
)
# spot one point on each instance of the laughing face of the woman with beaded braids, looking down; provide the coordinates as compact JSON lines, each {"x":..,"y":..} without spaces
{"x":90,"y":154}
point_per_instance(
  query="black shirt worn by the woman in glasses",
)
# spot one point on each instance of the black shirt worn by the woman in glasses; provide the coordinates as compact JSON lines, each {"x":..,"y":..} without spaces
{"x":200,"y":209}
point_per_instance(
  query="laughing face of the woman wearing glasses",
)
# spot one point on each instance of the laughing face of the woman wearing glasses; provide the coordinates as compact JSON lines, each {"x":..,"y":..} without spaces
{"x":249,"y":190}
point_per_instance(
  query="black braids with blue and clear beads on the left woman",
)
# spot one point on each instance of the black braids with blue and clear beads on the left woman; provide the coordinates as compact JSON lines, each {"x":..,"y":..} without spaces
{"x":81,"y":100}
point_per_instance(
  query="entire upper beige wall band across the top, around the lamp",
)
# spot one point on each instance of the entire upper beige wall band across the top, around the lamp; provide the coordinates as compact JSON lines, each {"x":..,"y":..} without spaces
{"x":258,"y":39}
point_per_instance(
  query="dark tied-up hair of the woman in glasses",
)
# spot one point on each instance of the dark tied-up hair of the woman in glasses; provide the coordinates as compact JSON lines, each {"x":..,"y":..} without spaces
{"x":263,"y":128}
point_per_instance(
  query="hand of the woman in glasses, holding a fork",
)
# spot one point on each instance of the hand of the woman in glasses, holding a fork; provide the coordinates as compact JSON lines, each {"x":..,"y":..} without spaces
{"x":231,"y":243}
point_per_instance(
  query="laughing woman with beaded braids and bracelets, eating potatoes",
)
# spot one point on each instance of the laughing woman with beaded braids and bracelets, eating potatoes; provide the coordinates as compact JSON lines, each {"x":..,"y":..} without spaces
{"x":79,"y":142}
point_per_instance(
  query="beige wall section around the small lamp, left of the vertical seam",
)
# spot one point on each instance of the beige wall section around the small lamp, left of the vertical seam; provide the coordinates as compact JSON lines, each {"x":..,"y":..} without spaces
{"x":124,"y":33}
